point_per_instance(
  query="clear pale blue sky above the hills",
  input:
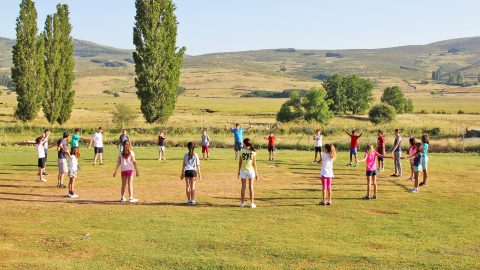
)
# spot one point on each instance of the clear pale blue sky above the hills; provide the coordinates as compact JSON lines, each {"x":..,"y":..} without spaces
{"x":208,"y":26}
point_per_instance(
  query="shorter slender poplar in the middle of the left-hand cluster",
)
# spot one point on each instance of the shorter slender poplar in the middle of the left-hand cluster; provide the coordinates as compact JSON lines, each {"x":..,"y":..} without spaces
{"x":52,"y":104}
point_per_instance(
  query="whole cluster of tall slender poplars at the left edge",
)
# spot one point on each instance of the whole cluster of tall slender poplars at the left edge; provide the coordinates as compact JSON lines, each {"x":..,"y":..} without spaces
{"x":43,"y":65}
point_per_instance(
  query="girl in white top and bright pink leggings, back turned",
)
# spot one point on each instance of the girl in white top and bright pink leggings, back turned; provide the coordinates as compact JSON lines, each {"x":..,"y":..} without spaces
{"x":326,"y":159}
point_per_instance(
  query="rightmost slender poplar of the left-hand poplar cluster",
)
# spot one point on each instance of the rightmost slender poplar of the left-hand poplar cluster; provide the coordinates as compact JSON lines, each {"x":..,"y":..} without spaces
{"x":67,"y":64}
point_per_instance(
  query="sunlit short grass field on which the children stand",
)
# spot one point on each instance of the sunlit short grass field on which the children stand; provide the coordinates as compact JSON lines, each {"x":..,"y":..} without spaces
{"x":435,"y":229}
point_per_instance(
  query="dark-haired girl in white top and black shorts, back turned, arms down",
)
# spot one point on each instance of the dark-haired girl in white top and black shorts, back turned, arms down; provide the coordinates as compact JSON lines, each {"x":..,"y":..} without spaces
{"x":190,"y":171}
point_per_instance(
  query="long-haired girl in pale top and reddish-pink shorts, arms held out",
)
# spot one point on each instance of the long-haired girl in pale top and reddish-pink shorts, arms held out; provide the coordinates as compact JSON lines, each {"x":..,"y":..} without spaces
{"x":127,"y":163}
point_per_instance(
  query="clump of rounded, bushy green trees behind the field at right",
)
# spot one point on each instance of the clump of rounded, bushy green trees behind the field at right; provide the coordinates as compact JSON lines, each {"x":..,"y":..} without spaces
{"x":342,"y":95}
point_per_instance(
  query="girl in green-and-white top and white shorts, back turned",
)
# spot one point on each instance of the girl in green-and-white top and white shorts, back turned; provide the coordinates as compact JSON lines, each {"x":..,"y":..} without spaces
{"x":247,"y":169}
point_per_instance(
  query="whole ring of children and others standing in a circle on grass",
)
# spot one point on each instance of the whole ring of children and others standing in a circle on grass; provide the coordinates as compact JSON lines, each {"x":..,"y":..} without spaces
{"x":245,"y":152}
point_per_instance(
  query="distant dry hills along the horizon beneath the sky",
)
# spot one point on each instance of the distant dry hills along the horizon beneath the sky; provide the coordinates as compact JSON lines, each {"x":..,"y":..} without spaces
{"x":411,"y":62}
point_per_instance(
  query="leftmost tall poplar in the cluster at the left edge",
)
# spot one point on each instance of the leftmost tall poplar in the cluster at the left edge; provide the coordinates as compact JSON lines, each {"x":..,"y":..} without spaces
{"x":28,"y":65}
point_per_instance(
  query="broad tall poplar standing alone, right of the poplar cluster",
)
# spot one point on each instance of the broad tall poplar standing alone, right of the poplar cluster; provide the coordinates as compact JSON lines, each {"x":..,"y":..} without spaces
{"x":157,"y":59}
